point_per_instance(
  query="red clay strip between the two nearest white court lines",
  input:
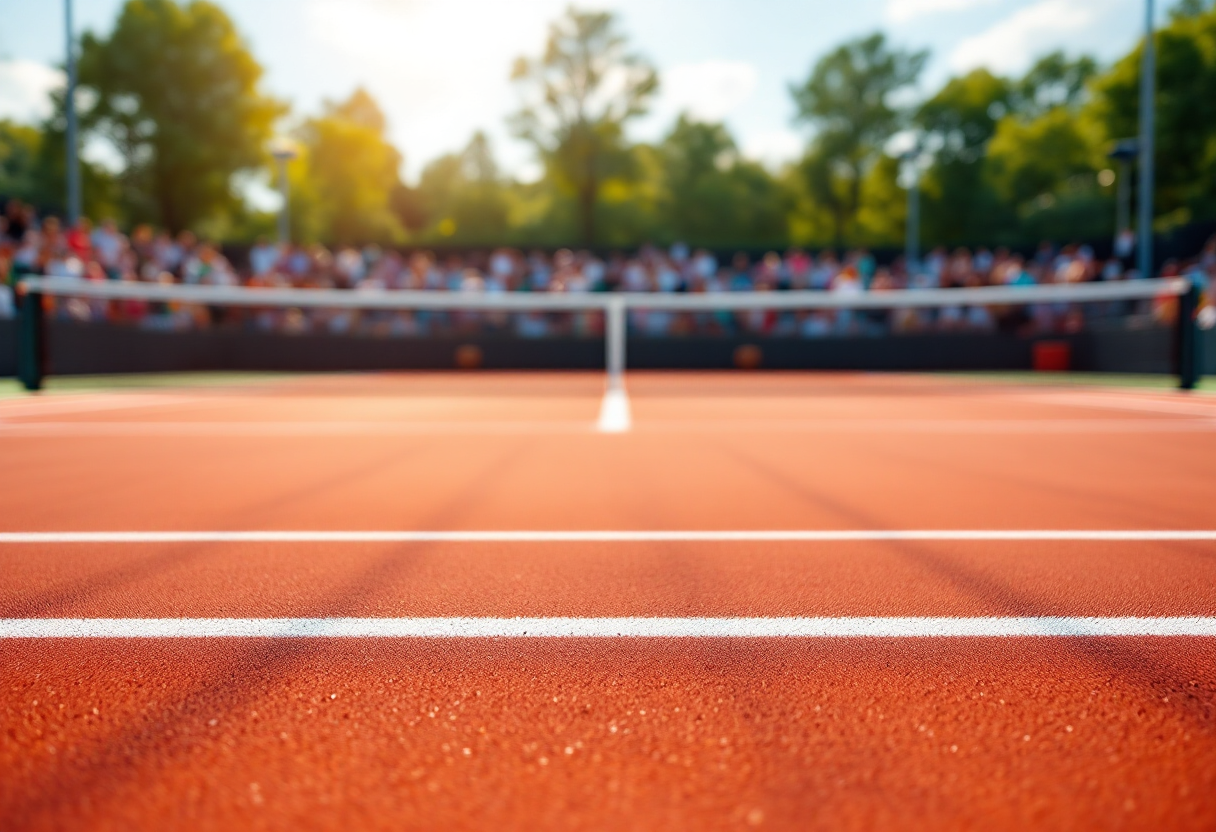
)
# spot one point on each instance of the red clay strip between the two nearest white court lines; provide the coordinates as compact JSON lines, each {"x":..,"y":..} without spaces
{"x":907,"y":578}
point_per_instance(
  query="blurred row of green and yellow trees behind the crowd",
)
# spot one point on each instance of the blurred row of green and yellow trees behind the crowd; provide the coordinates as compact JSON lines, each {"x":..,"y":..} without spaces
{"x":1003,"y":161}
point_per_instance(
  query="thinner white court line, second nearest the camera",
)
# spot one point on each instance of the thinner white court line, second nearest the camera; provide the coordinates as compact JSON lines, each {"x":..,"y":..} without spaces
{"x":793,"y":536}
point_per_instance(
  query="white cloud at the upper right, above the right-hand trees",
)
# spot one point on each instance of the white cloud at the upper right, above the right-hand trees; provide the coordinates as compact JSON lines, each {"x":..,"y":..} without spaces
{"x":1012,"y":44}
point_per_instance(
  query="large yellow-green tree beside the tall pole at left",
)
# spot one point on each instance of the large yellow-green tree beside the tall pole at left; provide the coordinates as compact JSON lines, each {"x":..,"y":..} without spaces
{"x":174,"y":89}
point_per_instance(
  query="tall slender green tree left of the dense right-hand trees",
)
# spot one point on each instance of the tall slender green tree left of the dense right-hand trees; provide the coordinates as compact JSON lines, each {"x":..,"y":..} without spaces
{"x":848,"y":98}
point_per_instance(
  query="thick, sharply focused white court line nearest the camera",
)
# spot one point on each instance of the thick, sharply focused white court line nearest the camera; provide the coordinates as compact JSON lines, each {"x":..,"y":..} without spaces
{"x":601,"y":628}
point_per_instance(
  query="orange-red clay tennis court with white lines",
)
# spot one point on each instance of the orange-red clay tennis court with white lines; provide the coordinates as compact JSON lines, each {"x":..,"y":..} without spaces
{"x":447,"y":601}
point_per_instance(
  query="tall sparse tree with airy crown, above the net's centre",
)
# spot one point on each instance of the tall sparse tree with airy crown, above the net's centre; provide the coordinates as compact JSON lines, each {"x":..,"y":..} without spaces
{"x":579,"y":95}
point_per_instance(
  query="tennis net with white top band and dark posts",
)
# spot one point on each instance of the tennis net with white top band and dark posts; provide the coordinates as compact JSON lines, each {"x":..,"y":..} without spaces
{"x":70,"y":325}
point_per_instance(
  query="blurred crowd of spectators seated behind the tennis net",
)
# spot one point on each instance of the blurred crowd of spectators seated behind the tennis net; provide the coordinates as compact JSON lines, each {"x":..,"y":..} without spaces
{"x":103,"y":252}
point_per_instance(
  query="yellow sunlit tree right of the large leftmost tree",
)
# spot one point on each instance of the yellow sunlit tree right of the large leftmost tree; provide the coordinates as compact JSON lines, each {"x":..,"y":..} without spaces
{"x":351,"y":173}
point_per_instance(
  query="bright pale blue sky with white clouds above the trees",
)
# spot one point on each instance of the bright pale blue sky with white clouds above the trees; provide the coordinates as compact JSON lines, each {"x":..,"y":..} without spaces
{"x":441,"y":69}
